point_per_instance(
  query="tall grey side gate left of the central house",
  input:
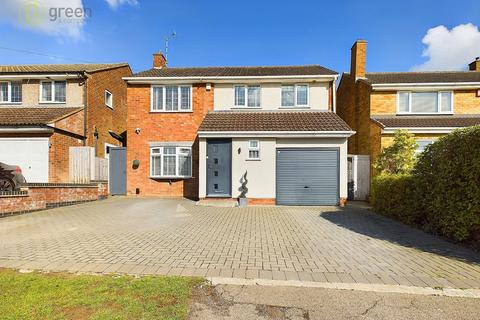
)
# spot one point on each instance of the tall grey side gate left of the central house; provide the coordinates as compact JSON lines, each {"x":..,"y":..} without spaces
{"x":117,"y":171}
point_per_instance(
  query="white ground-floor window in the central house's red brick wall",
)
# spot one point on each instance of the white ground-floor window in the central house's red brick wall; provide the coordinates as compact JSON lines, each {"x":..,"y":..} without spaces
{"x":171,"y":162}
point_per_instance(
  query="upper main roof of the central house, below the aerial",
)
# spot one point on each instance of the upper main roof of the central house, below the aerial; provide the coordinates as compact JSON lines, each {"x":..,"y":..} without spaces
{"x":312,"y":70}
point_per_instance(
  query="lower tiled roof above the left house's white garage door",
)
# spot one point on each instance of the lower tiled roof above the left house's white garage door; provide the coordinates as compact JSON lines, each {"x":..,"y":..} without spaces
{"x":33,"y":116}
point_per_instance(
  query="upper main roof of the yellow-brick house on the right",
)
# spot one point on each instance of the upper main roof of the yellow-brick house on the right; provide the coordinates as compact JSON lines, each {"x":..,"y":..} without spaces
{"x":423,"y":77}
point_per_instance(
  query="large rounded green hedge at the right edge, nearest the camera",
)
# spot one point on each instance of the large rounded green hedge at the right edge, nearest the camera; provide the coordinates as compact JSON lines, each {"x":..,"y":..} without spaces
{"x":448,"y":176}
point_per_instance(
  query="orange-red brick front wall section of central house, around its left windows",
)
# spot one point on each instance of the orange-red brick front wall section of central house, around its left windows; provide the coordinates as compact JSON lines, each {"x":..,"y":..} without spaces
{"x":162,"y":127}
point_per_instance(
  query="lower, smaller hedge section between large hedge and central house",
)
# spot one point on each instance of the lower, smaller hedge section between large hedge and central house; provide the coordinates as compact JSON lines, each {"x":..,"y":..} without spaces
{"x":394,"y":196}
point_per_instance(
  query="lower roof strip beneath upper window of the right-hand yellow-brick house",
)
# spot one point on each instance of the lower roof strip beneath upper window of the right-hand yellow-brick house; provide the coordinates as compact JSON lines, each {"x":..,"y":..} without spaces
{"x":440,"y":121}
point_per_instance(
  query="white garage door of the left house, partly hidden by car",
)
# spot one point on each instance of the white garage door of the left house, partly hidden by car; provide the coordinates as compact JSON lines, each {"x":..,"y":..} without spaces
{"x":31,"y":154}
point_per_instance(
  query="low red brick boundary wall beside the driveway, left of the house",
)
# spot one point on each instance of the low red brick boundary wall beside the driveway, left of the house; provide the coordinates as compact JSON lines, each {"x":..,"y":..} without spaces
{"x":40,"y":196}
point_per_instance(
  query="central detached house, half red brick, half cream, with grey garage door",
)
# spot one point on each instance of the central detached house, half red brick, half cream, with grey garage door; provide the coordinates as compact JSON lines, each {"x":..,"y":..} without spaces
{"x":201,"y":132}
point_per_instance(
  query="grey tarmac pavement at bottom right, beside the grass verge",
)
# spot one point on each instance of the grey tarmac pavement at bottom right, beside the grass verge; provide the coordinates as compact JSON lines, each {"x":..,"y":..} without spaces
{"x":231,"y":302}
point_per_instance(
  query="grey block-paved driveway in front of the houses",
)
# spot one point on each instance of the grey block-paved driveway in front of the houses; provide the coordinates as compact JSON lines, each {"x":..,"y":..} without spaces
{"x":175,"y":237}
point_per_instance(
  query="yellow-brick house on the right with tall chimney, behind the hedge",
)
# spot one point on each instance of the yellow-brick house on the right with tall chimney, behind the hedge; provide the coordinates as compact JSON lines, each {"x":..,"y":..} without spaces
{"x":427,"y":104}
